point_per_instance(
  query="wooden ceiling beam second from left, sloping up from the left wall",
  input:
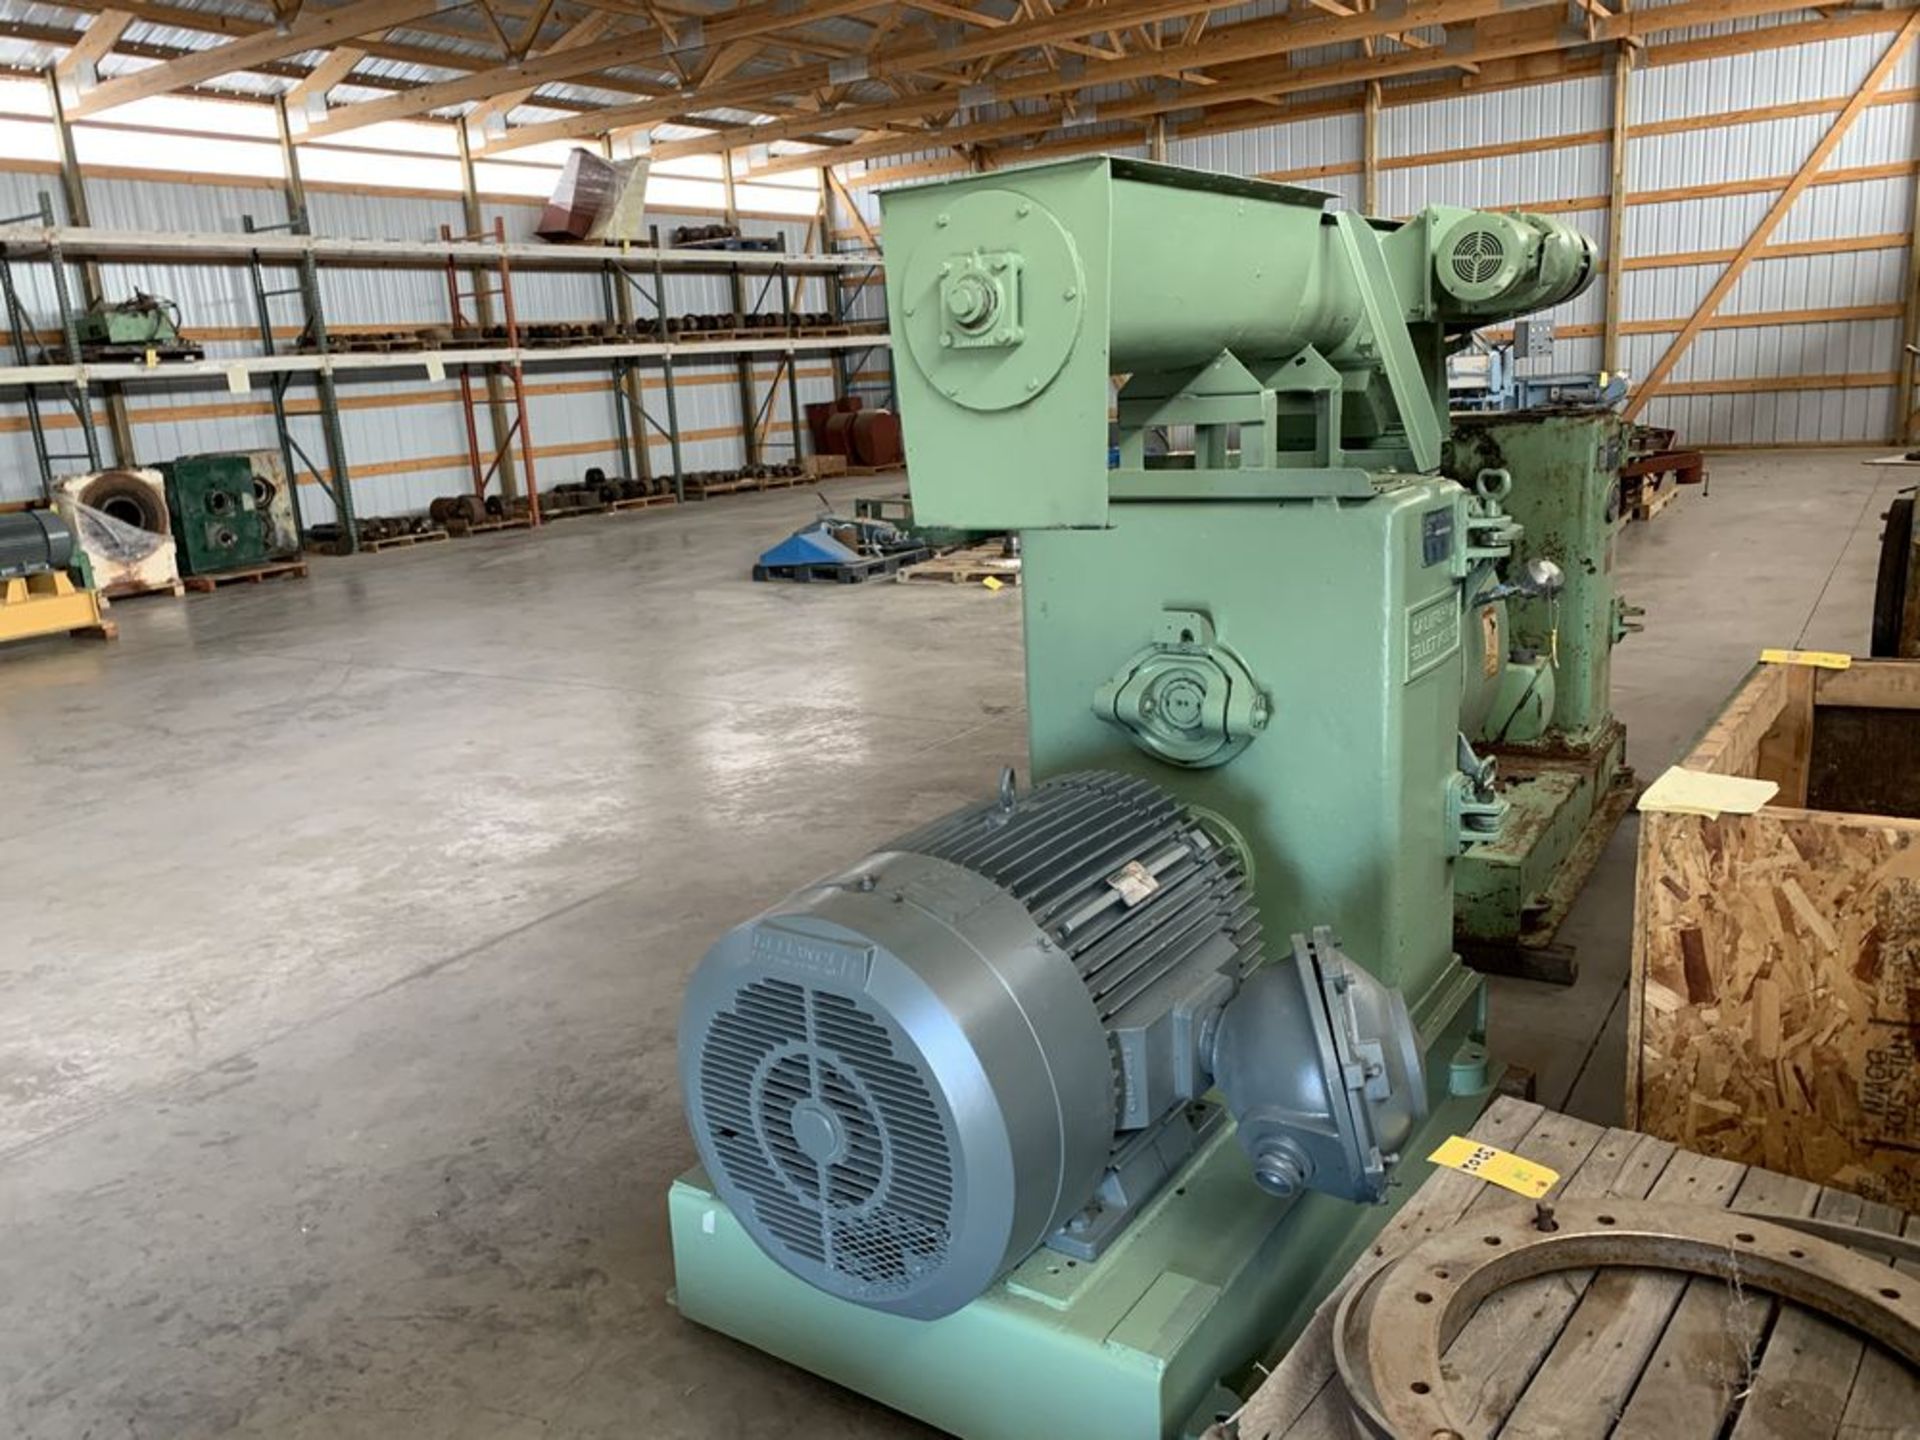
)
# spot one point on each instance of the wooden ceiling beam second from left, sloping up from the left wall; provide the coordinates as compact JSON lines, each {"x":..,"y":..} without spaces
{"x":638,"y":49}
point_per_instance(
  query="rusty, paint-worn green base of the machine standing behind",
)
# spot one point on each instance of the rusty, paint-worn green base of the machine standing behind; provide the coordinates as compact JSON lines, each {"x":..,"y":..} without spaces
{"x":1512,"y":894}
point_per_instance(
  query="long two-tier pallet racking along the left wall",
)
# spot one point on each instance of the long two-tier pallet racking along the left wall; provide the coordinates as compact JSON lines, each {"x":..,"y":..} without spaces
{"x":629,"y":272}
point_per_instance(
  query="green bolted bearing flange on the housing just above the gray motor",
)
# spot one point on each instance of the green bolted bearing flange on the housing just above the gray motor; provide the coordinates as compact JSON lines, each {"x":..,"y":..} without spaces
{"x":1186,"y":698}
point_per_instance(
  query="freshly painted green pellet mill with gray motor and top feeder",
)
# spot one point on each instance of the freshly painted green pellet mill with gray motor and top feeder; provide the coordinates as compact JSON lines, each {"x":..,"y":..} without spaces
{"x":1061,"y":1111}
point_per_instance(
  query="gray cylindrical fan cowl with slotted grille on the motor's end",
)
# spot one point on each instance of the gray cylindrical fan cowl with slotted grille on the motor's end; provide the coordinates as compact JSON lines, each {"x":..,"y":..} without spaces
{"x":896,"y":1084}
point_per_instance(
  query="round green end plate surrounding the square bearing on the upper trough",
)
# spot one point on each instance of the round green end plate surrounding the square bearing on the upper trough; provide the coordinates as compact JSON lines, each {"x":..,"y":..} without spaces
{"x":1053,"y":297}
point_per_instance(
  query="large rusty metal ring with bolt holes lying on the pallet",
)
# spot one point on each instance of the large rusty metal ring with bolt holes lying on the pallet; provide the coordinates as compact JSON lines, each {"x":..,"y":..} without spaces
{"x":1410,"y":1312}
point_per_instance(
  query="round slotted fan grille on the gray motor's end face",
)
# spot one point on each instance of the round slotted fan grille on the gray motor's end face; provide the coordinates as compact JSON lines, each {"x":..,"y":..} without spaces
{"x":875,"y":1207}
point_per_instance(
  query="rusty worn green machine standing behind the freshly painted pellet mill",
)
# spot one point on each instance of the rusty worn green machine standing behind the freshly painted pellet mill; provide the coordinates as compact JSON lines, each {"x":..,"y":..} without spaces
{"x":1560,"y":748}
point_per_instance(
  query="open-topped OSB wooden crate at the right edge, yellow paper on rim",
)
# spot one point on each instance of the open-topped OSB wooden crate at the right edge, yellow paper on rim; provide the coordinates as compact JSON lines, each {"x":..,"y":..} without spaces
{"x":1775,"y":1005}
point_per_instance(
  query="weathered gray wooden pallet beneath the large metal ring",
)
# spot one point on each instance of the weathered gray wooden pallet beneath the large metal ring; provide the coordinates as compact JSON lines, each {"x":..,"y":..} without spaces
{"x":1650,"y":1353}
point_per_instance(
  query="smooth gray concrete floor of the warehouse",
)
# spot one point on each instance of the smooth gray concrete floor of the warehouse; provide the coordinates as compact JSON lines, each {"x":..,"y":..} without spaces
{"x":345,"y":926}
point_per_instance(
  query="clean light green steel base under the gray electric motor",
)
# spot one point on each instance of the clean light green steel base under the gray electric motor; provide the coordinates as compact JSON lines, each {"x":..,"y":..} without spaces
{"x":1132,"y":1347}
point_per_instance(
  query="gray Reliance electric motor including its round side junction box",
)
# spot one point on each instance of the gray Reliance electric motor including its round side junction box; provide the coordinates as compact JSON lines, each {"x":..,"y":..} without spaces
{"x":997,"y":1032}
